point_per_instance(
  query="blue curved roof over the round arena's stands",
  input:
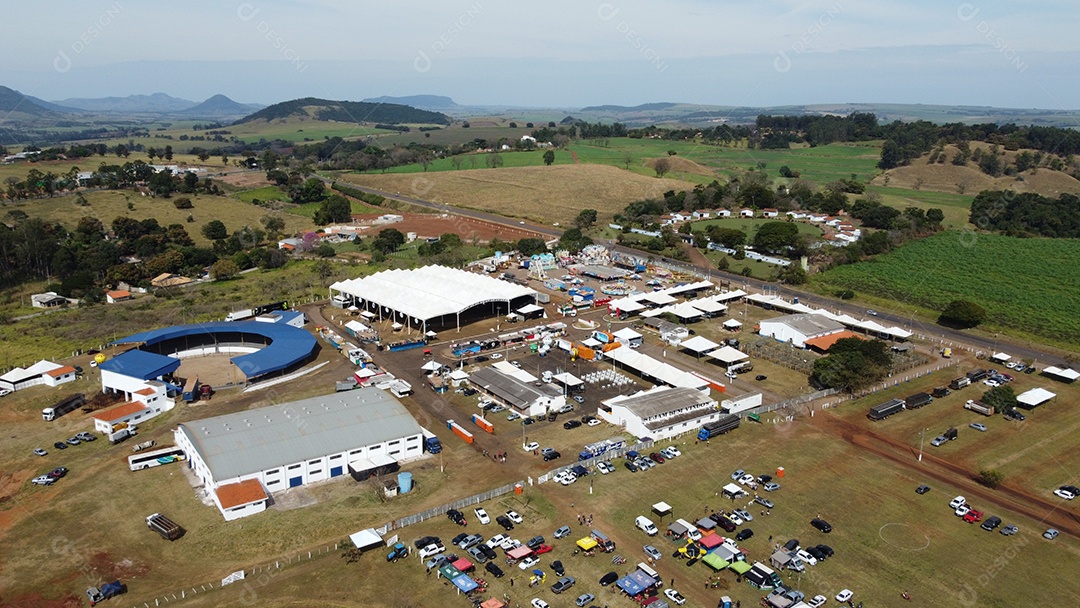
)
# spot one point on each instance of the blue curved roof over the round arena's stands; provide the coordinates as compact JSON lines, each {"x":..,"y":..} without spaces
{"x":289,"y":345}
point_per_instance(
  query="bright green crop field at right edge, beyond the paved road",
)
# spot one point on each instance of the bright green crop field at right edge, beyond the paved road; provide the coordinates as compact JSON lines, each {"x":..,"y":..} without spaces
{"x":1020,"y":282}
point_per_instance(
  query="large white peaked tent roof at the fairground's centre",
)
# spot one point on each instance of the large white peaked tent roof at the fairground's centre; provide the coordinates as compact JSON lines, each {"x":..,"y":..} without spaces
{"x":430,"y":292}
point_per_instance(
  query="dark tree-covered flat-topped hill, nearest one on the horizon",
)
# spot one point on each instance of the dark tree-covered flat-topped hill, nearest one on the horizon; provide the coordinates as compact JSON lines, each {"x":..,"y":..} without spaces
{"x":347,"y":112}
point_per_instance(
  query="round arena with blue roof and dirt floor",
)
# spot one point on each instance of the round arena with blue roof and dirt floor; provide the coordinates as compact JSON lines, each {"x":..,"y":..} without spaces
{"x":255,"y":349}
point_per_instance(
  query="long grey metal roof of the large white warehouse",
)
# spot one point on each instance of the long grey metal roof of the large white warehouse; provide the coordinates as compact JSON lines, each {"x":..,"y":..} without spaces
{"x":256,"y":440}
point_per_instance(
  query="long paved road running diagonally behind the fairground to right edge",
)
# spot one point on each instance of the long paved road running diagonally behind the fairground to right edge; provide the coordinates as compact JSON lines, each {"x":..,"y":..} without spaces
{"x":944,"y":335}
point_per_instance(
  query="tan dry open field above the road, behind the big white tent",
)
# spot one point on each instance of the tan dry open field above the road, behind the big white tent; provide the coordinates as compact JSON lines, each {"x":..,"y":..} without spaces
{"x":541,"y":194}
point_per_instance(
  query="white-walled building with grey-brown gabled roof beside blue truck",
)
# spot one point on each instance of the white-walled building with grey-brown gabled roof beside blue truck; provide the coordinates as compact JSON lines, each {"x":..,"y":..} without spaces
{"x":661,"y":412}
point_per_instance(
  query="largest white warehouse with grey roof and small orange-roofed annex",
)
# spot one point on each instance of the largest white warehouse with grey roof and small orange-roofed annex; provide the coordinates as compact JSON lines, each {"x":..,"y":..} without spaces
{"x":283,"y":447}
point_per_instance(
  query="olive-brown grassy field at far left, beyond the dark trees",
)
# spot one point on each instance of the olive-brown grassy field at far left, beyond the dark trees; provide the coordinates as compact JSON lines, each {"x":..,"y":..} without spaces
{"x":107,"y":206}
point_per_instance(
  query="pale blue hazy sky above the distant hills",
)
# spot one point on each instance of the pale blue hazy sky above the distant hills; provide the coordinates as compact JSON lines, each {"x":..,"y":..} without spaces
{"x":566,"y":55}
